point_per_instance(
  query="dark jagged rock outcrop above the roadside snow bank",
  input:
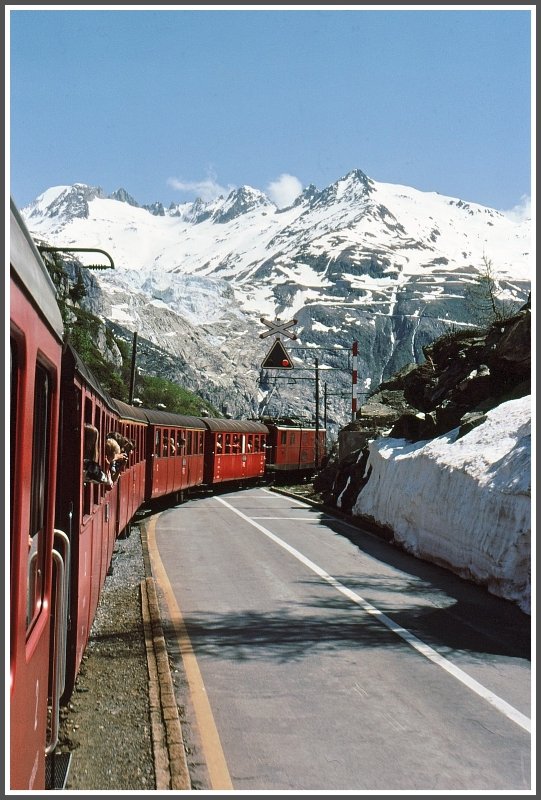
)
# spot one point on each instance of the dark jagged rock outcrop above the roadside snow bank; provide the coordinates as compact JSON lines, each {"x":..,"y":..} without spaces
{"x":464,"y":375}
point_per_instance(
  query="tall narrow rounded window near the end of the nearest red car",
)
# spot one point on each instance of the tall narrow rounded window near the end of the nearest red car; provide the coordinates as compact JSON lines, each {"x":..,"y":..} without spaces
{"x":39,"y":494}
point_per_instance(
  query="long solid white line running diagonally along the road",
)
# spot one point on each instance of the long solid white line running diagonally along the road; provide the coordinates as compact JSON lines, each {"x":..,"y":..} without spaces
{"x":425,"y":650}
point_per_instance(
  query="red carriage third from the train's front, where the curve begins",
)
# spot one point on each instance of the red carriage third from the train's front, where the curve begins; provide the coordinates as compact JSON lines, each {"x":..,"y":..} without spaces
{"x":175,"y":452}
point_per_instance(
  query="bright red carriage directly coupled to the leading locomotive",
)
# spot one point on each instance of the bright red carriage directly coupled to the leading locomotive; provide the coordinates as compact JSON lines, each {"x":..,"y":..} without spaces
{"x":234,"y":450}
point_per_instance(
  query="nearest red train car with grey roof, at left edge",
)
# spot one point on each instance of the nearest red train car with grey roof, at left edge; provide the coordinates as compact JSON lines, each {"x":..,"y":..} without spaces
{"x":37,"y":556}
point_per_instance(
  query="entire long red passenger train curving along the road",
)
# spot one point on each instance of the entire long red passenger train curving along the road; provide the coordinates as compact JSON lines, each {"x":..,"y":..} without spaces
{"x":63,"y":524}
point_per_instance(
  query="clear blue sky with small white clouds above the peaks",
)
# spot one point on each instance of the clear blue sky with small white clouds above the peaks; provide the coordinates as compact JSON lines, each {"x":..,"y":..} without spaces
{"x":173,"y":103}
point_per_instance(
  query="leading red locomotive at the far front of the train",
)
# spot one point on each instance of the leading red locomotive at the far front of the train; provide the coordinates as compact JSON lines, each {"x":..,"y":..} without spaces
{"x":293,"y":447}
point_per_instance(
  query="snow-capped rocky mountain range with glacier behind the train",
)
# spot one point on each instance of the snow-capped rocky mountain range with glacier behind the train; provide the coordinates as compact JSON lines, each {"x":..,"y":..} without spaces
{"x":381,"y":264}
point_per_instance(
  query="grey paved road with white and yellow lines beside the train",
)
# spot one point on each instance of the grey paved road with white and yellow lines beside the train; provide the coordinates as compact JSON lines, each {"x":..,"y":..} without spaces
{"x":312,"y":656}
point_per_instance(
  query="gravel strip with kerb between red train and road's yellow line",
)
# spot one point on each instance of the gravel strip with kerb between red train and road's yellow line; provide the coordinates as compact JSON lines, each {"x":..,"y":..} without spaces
{"x":111,"y":726}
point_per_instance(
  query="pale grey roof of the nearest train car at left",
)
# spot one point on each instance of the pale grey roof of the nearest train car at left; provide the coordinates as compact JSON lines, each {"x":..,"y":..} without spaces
{"x":29,"y":268}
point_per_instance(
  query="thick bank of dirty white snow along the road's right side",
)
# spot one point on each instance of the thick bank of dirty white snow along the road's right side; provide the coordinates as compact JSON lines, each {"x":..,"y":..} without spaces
{"x":462,"y":503}
